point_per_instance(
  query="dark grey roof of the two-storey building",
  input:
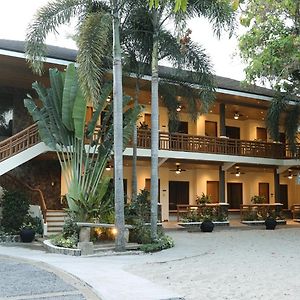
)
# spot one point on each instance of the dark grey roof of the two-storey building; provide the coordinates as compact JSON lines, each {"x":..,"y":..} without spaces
{"x":70,"y":55}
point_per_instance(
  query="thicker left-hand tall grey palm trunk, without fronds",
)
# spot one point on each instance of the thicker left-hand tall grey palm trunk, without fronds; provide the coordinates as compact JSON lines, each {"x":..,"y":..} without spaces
{"x":118,"y":131}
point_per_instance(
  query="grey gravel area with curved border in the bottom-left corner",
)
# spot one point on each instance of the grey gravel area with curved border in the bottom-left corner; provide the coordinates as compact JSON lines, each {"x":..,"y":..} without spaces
{"x":21,"y":279}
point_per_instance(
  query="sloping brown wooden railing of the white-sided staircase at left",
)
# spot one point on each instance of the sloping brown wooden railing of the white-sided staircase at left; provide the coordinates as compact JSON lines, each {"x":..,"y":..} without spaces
{"x":19,"y":142}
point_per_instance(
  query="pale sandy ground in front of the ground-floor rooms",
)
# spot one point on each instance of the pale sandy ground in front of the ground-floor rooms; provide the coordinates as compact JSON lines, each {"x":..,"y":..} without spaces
{"x":228,"y":264}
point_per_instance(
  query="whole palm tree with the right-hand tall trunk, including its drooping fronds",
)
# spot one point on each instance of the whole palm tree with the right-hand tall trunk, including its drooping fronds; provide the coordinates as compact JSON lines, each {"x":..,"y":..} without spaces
{"x":144,"y":32}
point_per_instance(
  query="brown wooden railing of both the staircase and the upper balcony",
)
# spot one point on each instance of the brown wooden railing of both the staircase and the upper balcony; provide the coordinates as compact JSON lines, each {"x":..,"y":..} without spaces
{"x":168,"y":141}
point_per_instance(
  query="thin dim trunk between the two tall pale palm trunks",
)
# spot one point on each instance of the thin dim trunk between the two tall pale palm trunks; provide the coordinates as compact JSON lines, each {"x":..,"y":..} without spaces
{"x":134,"y":145}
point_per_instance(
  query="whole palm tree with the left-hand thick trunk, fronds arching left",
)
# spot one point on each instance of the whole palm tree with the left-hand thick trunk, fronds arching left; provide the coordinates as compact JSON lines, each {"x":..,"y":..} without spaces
{"x":94,"y":18}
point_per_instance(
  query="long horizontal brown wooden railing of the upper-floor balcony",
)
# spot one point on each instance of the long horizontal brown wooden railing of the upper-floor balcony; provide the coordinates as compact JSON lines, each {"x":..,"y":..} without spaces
{"x":215,"y":145}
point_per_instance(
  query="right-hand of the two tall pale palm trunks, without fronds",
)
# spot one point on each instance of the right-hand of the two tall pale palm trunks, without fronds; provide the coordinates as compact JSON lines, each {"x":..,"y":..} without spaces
{"x":154,"y":128}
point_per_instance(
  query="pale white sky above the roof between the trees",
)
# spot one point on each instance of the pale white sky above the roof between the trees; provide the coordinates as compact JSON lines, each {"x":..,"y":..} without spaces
{"x":15,"y":15}
